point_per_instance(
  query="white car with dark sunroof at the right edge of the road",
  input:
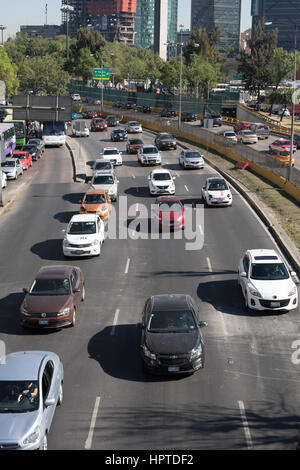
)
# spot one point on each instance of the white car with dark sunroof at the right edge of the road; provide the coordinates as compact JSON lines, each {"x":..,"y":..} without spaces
{"x":266,"y":282}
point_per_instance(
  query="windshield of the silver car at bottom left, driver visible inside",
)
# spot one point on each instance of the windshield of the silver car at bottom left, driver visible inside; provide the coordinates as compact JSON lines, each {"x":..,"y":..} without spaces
{"x":18,"y":396}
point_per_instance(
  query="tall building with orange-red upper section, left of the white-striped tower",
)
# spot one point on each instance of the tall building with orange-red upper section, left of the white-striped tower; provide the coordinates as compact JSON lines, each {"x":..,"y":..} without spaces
{"x":118,"y":15}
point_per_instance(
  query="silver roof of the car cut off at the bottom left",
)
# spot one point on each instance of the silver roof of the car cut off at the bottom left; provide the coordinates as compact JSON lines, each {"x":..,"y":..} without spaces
{"x":23,"y":365}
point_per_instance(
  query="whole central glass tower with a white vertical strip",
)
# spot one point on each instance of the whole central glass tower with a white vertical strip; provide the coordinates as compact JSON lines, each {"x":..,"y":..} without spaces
{"x":156,"y":24}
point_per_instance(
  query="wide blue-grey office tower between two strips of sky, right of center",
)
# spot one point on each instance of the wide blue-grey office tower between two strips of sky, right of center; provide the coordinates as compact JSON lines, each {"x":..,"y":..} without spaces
{"x":223,"y":13}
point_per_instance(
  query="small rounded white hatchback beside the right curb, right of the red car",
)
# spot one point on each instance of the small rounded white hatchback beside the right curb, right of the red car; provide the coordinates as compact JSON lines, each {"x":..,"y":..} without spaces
{"x":216,"y":192}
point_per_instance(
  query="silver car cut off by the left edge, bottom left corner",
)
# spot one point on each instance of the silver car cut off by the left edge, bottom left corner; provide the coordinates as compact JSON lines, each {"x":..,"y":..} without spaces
{"x":31,"y":386}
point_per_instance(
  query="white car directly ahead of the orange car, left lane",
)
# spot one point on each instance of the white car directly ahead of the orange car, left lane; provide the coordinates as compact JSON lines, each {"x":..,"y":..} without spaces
{"x":84,"y":235}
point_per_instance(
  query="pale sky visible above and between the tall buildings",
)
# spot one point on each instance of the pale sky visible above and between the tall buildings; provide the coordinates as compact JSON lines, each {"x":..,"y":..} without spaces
{"x":32,"y":12}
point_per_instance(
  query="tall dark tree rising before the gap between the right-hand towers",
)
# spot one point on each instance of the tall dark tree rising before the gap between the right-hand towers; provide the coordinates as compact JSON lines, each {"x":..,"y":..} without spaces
{"x":256,"y":67}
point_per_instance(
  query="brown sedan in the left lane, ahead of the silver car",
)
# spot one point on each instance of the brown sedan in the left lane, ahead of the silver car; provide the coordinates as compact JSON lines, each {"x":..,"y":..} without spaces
{"x":54,"y":297}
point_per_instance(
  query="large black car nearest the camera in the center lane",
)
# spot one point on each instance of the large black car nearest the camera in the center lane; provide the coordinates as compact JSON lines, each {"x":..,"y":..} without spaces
{"x":171,"y":339}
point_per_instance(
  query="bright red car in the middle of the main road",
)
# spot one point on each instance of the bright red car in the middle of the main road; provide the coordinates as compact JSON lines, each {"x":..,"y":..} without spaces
{"x":169,"y":213}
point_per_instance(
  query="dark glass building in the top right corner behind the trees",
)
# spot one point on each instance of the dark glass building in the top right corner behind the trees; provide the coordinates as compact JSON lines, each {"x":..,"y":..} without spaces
{"x":286,"y":11}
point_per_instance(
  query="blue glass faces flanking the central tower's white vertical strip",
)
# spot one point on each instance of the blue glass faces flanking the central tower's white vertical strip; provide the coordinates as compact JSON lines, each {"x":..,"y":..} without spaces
{"x":145,"y":23}
